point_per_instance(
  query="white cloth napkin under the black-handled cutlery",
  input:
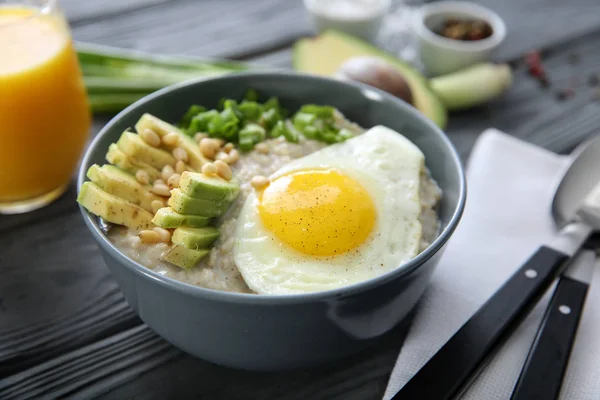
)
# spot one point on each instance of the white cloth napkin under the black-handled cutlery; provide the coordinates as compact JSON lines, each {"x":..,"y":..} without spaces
{"x":510,"y":189}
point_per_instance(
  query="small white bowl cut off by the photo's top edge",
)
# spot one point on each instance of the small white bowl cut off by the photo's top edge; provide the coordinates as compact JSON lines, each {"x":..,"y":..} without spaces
{"x":339,"y":15}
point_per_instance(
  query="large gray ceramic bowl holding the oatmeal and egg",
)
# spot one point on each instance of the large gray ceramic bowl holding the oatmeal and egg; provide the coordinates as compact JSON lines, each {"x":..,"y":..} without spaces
{"x":281,"y":332}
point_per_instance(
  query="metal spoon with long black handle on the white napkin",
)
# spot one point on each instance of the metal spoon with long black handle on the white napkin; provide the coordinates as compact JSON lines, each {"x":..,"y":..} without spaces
{"x":445,"y":374}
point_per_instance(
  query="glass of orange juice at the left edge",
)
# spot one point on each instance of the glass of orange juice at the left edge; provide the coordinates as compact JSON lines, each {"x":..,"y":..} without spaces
{"x":44,"y":114}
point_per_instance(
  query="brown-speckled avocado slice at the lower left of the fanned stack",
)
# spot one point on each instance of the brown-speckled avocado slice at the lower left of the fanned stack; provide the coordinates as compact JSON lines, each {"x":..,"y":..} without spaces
{"x":112,"y":208}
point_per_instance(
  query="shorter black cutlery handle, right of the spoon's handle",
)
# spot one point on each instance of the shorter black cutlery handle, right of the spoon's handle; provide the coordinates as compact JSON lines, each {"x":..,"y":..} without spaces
{"x":544,"y":369}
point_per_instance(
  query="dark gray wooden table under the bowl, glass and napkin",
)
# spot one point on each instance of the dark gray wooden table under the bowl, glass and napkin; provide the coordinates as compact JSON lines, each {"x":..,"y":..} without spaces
{"x":65,"y":330}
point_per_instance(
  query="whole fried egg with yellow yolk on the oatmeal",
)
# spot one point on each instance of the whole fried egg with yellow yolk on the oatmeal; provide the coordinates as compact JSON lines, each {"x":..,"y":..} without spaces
{"x":341,"y":215}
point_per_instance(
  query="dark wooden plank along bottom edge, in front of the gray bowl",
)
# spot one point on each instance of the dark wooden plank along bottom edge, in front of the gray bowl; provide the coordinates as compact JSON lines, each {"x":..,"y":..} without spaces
{"x":96,"y":370}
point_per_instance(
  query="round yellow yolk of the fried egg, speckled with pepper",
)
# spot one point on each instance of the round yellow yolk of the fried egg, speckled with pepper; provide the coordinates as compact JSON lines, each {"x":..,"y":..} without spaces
{"x":318,"y":212}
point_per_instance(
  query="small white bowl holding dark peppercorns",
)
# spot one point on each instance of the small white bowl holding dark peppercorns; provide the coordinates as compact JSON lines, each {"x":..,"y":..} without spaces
{"x":441,"y":55}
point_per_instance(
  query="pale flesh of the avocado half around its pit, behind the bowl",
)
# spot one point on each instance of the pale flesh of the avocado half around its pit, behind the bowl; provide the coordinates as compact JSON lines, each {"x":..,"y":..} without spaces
{"x":324,"y":54}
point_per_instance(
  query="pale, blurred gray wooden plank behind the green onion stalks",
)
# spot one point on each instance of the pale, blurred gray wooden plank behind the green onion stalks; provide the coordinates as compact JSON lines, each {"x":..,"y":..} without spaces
{"x":208,"y":28}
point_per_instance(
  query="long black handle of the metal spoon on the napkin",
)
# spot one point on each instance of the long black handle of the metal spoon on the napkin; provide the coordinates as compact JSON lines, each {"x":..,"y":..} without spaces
{"x":442,"y":377}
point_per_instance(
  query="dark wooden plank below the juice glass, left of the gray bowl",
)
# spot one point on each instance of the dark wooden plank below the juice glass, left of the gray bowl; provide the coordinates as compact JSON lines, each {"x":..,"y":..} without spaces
{"x":55,"y":292}
